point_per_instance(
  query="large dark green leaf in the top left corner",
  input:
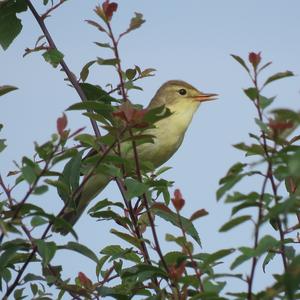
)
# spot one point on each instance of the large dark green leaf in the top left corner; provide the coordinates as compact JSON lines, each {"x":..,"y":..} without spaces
{"x":10,"y":25}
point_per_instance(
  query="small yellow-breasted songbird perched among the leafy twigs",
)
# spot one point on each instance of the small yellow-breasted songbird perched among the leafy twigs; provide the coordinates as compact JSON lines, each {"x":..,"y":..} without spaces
{"x":182,"y":99}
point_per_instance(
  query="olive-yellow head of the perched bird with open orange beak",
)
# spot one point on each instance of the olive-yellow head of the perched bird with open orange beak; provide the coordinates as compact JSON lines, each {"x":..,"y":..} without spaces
{"x":180,"y":95}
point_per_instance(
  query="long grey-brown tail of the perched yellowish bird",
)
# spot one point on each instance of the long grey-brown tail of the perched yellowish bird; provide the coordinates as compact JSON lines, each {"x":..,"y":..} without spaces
{"x":91,"y":189}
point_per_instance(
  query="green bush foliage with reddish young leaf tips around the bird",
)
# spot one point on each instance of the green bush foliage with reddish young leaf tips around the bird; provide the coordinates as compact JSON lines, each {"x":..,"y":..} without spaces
{"x":141,"y":270}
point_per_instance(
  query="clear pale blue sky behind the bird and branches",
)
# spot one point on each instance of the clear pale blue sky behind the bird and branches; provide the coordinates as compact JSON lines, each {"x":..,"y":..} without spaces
{"x":188,"y":40}
